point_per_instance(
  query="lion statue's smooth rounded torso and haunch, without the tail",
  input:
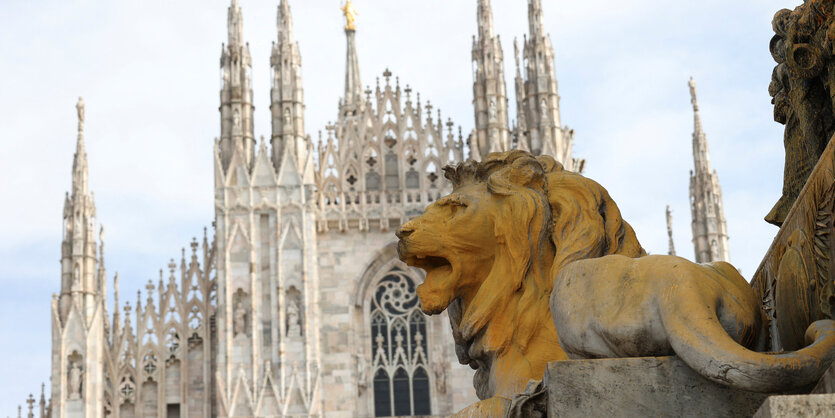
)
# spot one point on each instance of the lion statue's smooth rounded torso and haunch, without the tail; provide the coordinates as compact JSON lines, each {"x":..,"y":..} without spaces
{"x":637,"y":303}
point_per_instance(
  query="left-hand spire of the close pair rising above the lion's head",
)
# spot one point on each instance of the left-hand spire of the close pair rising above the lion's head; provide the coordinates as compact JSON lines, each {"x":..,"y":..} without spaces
{"x":492,"y":132}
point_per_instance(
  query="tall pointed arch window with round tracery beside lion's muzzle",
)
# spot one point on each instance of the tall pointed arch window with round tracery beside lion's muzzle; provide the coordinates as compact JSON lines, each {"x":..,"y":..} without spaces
{"x":398,"y":347}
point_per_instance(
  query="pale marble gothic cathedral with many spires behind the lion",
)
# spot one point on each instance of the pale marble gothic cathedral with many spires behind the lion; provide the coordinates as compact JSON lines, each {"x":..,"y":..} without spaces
{"x":296,"y":303}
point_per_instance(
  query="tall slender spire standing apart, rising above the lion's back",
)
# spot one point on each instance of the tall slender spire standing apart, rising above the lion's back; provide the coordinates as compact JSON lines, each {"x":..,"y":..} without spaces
{"x":710,"y":231}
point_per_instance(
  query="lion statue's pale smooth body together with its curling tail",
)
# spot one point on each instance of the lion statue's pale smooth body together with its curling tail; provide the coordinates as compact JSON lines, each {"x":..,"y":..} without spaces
{"x":707,"y":314}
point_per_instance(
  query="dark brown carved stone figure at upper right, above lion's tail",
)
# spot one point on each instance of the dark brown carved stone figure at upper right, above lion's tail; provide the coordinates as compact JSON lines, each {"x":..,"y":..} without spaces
{"x":802,"y":93}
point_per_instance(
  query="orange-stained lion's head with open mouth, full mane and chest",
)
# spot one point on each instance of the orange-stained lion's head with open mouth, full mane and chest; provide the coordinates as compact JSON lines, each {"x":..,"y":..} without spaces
{"x":492,"y":248}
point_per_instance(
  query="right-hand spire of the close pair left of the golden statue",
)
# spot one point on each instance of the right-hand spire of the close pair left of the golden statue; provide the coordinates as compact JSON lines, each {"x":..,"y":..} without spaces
{"x":287,"y":95}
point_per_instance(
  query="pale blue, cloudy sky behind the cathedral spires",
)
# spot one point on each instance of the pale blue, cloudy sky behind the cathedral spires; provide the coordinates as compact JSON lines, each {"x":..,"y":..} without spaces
{"x":149,"y":73}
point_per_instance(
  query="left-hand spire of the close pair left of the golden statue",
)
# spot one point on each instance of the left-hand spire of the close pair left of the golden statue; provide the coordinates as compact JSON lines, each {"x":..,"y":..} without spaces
{"x":236,"y":124}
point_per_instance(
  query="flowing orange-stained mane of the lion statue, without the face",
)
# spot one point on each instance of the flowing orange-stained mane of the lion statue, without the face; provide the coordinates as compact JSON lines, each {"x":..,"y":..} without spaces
{"x":551,"y":211}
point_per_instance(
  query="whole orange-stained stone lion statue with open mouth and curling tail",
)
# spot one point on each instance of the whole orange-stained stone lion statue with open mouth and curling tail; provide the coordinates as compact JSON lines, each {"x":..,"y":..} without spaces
{"x":520,"y":239}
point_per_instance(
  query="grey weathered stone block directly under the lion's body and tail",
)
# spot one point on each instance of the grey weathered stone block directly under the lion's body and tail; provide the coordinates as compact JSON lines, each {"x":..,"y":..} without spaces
{"x":640,"y":387}
